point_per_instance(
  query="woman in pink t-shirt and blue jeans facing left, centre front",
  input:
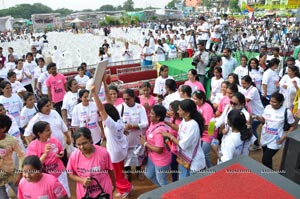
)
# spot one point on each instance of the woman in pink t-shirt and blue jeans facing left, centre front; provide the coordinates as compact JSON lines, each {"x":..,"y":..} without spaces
{"x":159,"y":158}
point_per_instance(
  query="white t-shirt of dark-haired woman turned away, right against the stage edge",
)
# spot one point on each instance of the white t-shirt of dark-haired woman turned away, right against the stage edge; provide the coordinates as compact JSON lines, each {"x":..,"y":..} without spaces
{"x":232,"y":146}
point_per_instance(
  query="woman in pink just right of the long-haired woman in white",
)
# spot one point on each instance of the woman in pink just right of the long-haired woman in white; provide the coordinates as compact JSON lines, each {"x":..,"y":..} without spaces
{"x":207,"y":113}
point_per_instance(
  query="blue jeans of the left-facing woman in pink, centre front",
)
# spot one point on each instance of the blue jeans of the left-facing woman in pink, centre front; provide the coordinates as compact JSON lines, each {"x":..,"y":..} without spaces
{"x":158,"y":175}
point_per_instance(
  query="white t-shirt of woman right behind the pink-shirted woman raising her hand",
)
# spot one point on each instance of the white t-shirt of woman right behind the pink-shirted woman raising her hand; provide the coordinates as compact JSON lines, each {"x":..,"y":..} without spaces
{"x":57,"y":125}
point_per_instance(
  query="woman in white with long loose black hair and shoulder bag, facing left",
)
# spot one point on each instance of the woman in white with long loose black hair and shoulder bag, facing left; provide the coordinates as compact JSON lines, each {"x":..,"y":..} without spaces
{"x":189,"y":138}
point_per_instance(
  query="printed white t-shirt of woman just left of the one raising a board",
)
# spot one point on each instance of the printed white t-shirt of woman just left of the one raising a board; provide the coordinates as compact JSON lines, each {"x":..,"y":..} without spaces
{"x":87,"y":116}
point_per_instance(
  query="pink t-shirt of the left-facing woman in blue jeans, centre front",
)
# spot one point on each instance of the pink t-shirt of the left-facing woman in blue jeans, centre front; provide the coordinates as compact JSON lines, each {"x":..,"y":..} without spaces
{"x":155,"y":138}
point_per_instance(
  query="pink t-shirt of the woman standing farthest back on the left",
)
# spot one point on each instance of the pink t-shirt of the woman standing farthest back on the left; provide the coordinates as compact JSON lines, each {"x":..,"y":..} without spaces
{"x":57,"y":87}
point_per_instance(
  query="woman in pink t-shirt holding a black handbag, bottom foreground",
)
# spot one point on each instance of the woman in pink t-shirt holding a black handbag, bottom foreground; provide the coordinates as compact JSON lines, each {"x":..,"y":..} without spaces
{"x":90,"y":161}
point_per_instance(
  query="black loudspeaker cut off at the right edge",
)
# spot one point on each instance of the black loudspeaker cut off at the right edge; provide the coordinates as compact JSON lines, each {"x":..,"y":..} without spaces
{"x":290,"y":162}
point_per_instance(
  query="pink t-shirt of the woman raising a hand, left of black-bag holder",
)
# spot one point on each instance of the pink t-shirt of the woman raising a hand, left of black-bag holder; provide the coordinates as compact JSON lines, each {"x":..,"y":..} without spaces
{"x":53,"y":164}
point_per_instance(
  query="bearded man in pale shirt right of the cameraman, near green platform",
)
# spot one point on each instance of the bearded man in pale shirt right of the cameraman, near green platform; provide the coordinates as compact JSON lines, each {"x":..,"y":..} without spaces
{"x":228,"y":63}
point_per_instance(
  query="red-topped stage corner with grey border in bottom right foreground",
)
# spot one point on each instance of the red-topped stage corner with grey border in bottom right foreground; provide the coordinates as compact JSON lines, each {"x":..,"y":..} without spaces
{"x":242,"y":177}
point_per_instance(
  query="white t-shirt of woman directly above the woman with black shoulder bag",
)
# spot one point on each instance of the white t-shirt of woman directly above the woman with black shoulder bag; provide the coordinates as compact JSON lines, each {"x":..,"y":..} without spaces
{"x":270,"y":78}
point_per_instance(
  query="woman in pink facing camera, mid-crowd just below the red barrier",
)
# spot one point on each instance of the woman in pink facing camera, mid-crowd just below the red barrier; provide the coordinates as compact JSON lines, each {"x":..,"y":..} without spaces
{"x":146,"y":99}
